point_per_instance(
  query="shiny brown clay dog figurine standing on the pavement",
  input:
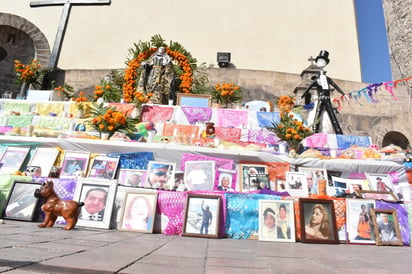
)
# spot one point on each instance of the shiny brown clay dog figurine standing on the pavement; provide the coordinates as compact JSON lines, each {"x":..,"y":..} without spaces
{"x":54,"y":207}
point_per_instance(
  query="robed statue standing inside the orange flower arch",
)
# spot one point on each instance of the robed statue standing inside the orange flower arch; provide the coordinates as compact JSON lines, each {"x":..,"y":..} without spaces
{"x":157,"y":77}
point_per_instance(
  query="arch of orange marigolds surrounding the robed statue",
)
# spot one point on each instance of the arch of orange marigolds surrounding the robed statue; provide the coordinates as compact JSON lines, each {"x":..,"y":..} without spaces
{"x":143,"y":51}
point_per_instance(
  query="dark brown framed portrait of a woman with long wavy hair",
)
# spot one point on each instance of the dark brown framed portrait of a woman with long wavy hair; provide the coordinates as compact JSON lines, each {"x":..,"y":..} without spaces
{"x":318,"y":221}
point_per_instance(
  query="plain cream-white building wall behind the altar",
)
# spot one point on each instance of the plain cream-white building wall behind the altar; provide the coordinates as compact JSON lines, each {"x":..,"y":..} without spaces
{"x":273,"y":35}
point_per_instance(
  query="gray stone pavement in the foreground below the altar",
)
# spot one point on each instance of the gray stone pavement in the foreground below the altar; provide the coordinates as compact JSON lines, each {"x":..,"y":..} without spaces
{"x":25,"y":248}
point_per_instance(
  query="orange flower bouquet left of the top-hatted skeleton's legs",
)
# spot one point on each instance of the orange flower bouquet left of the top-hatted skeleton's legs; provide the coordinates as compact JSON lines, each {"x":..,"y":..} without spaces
{"x":289,"y":129}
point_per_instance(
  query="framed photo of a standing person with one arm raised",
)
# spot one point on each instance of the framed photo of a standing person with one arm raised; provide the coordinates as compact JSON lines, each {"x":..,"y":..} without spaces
{"x":202,"y":216}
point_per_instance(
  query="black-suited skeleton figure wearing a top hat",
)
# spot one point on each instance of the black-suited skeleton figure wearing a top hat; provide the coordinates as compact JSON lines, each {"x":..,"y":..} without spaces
{"x":321,"y":83}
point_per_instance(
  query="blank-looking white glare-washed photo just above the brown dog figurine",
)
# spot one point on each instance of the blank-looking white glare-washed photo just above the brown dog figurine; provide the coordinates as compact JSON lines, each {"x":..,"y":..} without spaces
{"x":44,"y":157}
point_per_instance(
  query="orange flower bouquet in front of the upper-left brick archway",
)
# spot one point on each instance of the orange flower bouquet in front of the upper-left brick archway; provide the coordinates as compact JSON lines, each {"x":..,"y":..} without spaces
{"x":29,"y":73}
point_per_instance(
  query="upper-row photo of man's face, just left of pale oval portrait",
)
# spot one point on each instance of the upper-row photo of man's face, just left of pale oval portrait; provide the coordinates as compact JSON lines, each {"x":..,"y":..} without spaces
{"x":160,"y":175}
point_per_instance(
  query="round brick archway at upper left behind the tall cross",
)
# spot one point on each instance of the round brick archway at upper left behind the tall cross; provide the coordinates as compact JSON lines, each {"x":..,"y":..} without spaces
{"x":22,"y":40}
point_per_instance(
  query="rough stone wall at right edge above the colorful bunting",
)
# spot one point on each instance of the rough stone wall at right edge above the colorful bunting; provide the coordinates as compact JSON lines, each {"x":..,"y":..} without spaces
{"x":398,"y":19}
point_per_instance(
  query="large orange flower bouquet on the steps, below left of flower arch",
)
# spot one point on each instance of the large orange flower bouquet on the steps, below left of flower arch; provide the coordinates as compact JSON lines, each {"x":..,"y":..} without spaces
{"x":108,"y":119}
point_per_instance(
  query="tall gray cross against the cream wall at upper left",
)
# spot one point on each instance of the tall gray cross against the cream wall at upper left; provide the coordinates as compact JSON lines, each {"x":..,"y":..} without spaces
{"x":67,"y":4}
